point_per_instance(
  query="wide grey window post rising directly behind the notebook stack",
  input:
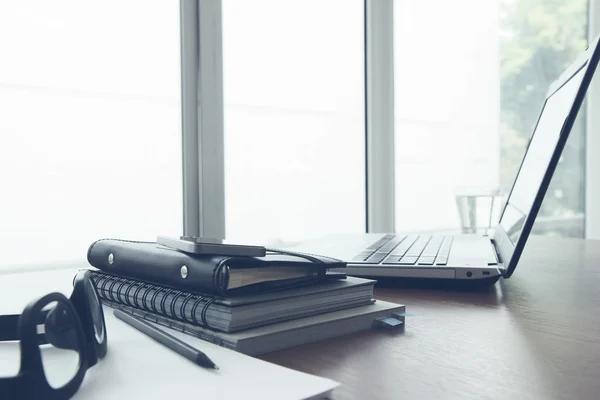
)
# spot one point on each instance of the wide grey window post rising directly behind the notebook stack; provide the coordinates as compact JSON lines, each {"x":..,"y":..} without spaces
{"x":203,"y":155}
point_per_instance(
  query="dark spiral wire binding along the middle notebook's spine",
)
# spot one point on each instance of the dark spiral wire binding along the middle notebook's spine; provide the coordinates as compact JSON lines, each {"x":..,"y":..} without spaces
{"x":117,"y":290}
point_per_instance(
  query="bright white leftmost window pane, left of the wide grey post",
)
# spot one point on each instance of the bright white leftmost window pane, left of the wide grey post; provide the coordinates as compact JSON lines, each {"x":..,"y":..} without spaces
{"x":90,"y":125}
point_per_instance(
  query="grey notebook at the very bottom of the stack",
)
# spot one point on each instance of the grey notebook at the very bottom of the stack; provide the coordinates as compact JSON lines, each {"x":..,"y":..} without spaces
{"x":290,"y":333}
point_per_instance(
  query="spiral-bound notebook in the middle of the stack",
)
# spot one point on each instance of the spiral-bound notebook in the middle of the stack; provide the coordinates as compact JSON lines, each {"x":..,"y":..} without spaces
{"x":234,"y":313}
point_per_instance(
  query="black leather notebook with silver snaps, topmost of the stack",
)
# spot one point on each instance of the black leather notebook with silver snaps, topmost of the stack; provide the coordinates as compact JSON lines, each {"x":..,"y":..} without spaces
{"x":209,"y":274}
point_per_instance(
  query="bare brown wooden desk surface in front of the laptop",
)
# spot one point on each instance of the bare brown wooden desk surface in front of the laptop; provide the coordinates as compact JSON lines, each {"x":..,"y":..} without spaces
{"x":533,"y":336}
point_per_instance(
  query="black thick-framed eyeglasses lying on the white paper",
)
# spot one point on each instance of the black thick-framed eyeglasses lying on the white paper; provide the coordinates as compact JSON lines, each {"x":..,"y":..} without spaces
{"x":59,"y":338}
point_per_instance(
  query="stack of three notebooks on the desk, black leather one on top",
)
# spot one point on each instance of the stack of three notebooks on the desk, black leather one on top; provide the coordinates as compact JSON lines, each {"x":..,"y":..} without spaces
{"x":253,"y":305}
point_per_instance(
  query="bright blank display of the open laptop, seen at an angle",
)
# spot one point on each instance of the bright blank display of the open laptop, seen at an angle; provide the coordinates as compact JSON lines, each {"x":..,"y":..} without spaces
{"x":537,"y":158}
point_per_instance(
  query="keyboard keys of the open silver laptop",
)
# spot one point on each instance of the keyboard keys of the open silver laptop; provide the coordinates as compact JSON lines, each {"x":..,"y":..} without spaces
{"x":407,"y":250}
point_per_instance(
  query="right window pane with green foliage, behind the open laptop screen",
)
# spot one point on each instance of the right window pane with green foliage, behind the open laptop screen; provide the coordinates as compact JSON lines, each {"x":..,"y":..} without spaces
{"x":470,"y":81}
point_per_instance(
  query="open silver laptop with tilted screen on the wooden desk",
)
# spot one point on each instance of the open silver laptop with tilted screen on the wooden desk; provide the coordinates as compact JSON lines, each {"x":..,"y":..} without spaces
{"x":473,"y":258}
